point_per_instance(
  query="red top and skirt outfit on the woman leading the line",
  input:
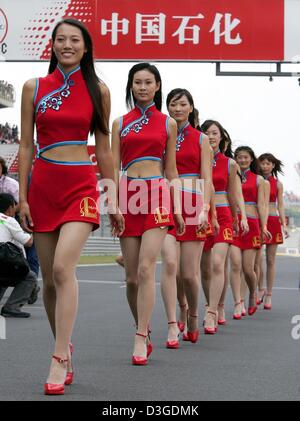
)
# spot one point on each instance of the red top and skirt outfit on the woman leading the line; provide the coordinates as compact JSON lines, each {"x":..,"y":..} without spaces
{"x":62,"y":191}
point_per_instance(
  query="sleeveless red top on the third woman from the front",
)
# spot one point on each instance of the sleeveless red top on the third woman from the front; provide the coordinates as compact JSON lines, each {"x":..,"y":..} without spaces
{"x":188,"y":151}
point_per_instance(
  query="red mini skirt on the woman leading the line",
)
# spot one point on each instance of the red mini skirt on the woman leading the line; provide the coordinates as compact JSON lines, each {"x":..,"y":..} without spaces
{"x":63,"y":193}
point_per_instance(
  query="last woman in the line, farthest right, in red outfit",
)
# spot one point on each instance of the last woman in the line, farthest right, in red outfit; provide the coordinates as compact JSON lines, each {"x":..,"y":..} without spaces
{"x":270,"y":166}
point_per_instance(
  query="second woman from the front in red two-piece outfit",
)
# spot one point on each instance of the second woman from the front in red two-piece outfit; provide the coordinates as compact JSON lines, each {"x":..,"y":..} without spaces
{"x":141,"y":140}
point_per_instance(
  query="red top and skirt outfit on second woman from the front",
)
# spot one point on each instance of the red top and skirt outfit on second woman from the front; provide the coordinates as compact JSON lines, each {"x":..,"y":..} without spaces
{"x":144,"y":202}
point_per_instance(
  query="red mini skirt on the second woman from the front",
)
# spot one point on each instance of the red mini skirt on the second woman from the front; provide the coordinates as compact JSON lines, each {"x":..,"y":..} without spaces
{"x":145,"y":204}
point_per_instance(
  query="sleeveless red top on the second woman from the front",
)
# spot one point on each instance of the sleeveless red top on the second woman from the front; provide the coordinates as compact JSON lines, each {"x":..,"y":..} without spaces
{"x":143,"y":134}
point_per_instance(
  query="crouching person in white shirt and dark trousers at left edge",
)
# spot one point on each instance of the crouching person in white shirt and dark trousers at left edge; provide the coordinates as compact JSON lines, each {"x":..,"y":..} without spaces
{"x":10,"y":230}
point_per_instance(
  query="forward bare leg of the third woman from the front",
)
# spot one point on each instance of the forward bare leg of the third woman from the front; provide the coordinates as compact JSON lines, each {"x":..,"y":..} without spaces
{"x":190,"y":254}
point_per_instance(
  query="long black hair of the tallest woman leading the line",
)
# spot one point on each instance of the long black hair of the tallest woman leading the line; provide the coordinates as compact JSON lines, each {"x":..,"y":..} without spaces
{"x":99,"y":120}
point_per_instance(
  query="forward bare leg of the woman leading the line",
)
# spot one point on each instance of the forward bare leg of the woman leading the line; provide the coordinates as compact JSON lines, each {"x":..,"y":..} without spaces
{"x":72,"y":237}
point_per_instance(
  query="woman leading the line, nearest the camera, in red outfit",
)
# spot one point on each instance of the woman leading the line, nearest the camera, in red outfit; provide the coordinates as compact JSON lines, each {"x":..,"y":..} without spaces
{"x":61,"y":204}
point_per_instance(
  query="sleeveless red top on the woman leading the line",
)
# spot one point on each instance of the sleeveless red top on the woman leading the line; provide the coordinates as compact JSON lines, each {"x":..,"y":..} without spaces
{"x":63,"y":110}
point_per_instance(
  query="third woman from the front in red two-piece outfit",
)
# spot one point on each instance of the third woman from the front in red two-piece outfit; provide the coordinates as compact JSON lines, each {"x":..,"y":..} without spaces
{"x":193,"y":165}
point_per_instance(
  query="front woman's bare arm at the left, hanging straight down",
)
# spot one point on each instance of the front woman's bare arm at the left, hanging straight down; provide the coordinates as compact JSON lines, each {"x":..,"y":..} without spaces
{"x":26,"y":150}
